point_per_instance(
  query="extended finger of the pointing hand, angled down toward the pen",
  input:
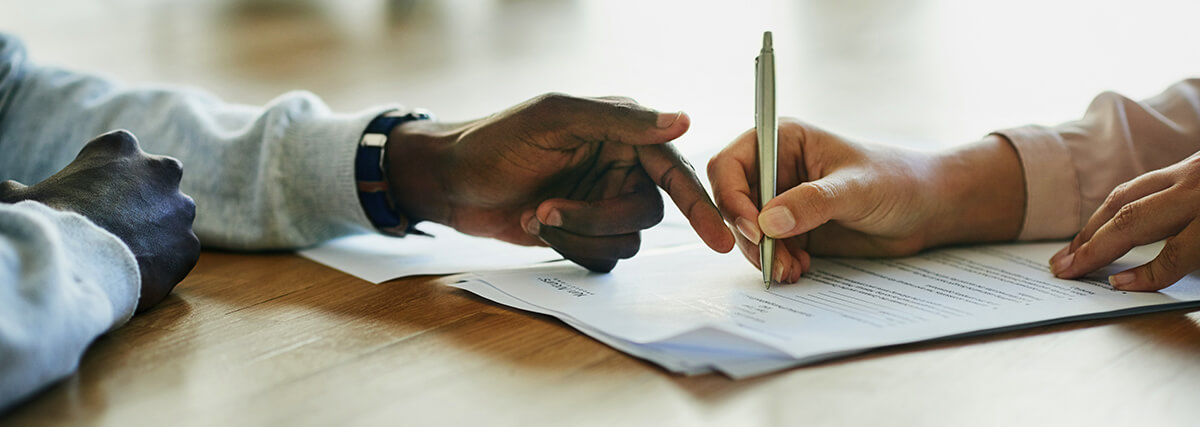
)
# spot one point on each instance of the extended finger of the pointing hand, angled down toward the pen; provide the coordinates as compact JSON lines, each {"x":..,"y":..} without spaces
{"x":674,"y":175}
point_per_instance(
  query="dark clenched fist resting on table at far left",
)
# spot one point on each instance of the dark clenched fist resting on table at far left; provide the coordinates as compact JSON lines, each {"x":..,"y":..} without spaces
{"x":133,"y":195}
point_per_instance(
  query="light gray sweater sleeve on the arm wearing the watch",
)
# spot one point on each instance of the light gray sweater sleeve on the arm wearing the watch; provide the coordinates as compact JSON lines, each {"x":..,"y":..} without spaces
{"x":273,"y":178}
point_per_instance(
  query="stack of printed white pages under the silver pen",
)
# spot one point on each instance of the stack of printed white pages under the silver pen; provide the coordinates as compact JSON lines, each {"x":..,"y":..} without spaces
{"x":693,"y":311}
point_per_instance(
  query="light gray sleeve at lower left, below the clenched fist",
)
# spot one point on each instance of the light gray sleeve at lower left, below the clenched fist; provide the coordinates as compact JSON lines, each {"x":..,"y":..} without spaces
{"x":63,"y":282}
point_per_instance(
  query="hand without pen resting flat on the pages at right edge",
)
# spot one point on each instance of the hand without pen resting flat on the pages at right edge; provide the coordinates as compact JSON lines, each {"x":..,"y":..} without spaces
{"x":1160,"y":205}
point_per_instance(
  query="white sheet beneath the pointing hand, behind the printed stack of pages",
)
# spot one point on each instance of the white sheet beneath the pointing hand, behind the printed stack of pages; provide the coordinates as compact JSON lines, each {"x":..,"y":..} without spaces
{"x":379,"y":258}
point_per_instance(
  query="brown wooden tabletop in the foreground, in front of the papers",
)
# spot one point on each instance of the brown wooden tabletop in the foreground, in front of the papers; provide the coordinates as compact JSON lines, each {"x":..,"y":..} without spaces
{"x":279,"y":340}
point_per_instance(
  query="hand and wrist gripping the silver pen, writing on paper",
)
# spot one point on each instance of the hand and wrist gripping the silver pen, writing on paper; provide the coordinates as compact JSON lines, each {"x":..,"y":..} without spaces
{"x":847,"y":200}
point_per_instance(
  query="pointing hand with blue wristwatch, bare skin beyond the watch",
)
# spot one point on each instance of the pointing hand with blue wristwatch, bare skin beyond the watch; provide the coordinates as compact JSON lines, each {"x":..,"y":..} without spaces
{"x":575,"y":175}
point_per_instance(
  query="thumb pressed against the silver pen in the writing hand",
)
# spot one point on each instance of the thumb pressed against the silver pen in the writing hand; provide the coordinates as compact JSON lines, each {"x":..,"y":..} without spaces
{"x":806,"y":207}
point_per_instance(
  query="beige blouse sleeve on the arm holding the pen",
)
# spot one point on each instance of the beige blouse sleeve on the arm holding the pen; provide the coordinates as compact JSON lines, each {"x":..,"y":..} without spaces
{"x":1071,"y":169}
